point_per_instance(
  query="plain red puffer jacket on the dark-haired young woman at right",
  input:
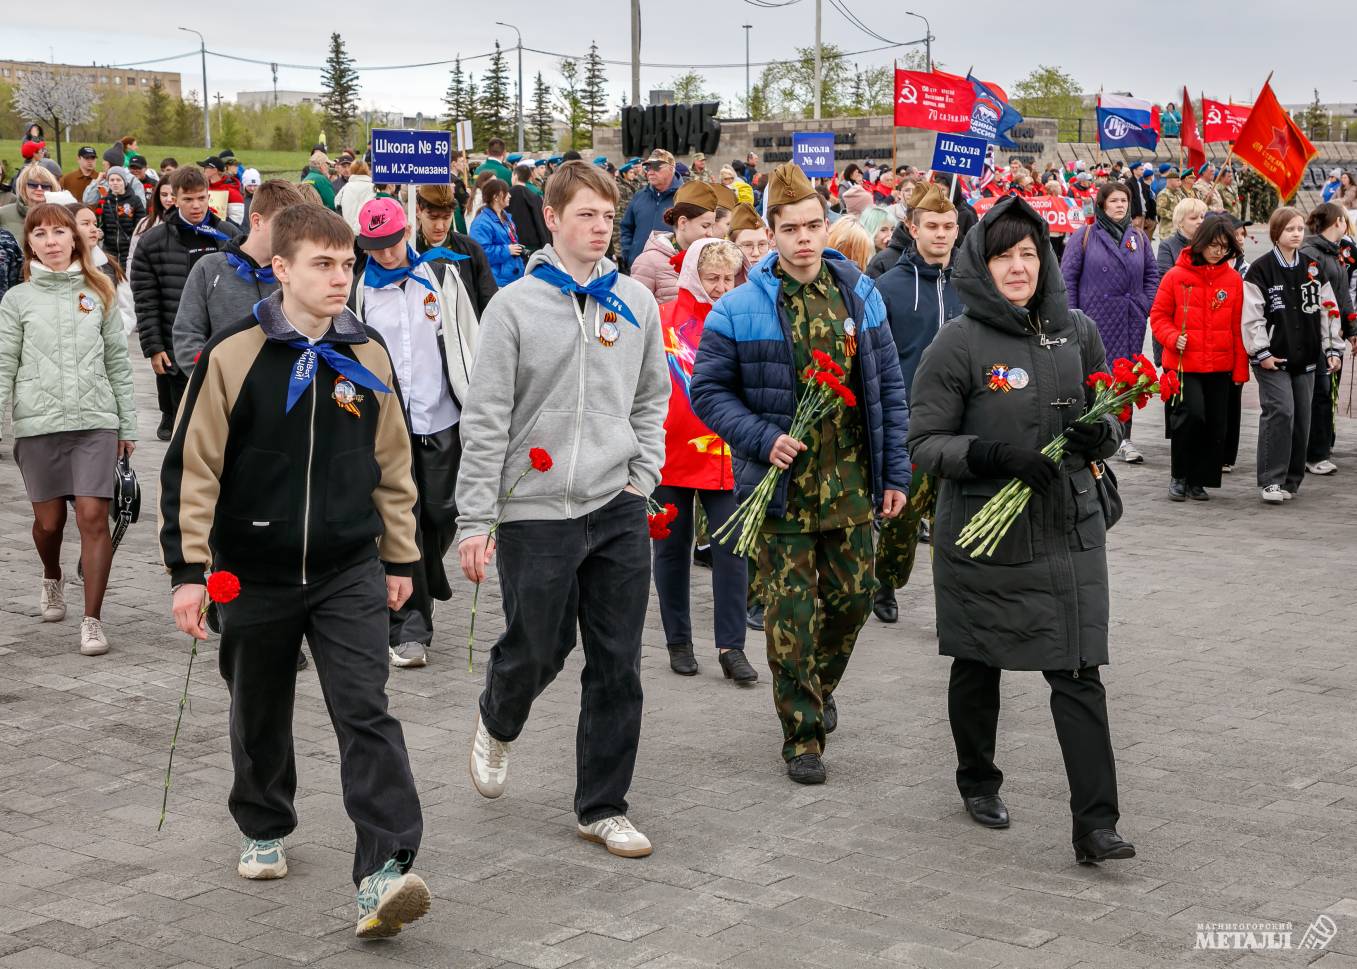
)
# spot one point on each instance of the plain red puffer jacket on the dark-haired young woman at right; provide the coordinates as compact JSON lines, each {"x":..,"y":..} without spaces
{"x":1212,"y":301}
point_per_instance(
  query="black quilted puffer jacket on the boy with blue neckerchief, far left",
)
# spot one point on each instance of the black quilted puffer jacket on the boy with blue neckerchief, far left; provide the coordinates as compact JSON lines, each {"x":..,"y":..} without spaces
{"x":164,"y":260}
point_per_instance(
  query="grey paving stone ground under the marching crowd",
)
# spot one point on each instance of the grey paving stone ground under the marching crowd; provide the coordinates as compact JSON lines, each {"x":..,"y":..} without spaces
{"x":1233,"y":696}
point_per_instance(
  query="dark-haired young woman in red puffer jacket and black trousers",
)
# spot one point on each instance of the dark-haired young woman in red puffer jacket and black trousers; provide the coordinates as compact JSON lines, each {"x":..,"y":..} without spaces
{"x":1196,"y":317}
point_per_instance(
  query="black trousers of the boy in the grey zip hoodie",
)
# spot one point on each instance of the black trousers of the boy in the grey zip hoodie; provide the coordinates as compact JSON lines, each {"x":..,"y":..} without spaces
{"x":592,"y":572}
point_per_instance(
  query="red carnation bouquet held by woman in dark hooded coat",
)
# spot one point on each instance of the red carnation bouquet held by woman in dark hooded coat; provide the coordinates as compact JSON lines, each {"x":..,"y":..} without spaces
{"x":1130,"y":385}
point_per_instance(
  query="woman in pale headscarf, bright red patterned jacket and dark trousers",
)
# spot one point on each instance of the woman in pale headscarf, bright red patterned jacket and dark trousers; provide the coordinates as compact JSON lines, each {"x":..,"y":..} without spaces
{"x":698,"y":468}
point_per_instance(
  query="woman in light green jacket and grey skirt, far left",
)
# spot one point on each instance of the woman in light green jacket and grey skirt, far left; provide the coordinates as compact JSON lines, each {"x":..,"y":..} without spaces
{"x":64,"y":368}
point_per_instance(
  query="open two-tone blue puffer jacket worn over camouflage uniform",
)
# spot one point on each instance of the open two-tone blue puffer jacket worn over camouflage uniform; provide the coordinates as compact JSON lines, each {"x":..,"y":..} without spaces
{"x":744,"y":382}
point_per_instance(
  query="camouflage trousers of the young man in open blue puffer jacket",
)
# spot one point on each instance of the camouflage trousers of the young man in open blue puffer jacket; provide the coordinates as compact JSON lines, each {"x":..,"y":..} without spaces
{"x":816,"y":590}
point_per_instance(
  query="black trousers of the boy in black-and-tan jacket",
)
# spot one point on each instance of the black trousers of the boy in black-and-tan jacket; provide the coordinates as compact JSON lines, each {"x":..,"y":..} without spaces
{"x":344,"y":620}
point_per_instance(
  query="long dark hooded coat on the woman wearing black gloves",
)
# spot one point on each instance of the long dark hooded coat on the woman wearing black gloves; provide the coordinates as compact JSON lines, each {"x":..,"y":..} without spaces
{"x":1041,"y":601}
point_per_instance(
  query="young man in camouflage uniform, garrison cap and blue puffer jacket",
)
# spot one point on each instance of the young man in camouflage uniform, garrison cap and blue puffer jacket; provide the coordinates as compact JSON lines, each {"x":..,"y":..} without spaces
{"x":815,"y":548}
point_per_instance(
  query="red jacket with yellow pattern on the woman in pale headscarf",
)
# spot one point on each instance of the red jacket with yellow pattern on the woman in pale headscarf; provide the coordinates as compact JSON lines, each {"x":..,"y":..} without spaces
{"x":694,"y":457}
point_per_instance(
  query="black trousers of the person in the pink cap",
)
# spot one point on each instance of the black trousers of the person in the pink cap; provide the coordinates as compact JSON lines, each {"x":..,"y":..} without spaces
{"x":436,"y":459}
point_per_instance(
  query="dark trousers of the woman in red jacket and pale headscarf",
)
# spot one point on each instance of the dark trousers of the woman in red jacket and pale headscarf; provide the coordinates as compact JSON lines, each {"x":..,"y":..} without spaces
{"x":674,"y":569}
